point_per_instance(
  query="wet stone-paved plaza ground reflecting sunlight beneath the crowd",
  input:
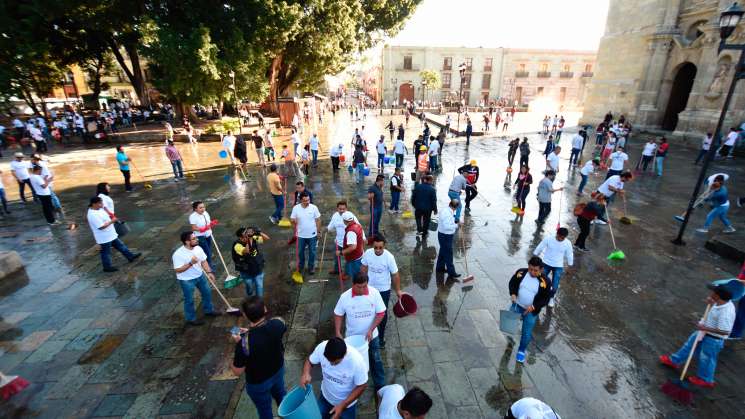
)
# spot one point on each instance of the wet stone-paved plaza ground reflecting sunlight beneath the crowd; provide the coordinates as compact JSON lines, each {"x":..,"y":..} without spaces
{"x":115,"y":345}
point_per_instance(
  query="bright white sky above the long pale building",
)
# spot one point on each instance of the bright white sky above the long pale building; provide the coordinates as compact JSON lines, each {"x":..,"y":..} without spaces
{"x":548,"y":24}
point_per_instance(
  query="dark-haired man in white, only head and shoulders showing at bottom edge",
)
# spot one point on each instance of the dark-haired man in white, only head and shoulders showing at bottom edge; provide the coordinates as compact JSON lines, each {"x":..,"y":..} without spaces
{"x":397,"y":404}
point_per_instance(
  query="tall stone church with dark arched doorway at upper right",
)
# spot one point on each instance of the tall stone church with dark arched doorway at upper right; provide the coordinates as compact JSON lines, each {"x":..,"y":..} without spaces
{"x":658,"y":64}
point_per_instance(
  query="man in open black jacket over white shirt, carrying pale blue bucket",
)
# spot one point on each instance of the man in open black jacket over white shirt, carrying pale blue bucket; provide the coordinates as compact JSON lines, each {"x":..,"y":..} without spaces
{"x":530,"y":291}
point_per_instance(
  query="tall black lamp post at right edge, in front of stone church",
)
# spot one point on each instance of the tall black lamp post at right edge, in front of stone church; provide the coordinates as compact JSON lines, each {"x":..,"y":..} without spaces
{"x":728,"y":21}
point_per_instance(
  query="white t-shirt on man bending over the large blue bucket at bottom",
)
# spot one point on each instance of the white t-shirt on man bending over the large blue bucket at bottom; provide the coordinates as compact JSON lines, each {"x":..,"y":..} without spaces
{"x":339,"y":380}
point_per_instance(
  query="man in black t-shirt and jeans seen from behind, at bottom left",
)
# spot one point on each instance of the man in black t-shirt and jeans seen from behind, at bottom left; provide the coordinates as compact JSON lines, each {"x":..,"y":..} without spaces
{"x":259,"y":353}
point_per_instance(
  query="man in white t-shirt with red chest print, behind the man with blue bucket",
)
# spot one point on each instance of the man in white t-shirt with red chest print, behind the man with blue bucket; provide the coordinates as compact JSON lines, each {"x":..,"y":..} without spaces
{"x":363,"y":309}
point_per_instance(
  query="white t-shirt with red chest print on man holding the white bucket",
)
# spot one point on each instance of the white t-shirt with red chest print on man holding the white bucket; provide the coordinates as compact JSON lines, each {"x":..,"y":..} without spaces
{"x":360,"y":311}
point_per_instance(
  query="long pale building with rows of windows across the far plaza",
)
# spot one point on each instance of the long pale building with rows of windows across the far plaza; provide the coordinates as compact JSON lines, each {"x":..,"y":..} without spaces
{"x":518,"y":75}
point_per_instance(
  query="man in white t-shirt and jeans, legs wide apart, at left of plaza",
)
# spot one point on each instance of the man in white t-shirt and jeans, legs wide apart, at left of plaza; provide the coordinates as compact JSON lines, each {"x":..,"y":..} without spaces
{"x":102,"y":226}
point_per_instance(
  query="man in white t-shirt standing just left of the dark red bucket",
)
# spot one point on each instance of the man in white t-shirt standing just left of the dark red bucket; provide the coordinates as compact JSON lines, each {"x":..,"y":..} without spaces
{"x":380,"y":267}
